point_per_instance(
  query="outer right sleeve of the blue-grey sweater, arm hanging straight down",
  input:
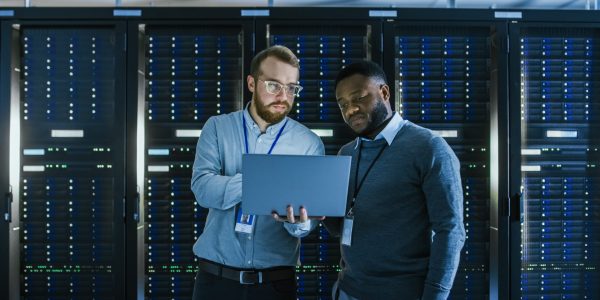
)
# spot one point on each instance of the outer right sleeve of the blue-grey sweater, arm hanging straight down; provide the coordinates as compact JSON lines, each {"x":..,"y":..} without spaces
{"x":443,"y":192}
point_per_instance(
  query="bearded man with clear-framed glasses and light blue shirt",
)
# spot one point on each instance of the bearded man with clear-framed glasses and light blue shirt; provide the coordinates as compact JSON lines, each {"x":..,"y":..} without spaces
{"x":244,"y":256}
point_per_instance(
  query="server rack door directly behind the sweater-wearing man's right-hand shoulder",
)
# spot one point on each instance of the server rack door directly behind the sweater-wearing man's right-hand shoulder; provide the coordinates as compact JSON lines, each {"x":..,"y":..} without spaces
{"x":442,"y":82}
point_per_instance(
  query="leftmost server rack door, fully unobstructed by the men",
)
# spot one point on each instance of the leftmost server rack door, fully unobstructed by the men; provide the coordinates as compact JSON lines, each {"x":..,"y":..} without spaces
{"x":71,"y":108}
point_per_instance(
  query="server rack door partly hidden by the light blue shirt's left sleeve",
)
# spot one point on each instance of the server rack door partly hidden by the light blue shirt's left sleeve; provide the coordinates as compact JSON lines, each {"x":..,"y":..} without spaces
{"x":190,"y":73}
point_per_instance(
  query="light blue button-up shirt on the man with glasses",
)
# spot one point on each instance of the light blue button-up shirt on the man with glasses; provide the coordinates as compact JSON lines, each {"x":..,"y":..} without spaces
{"x":217,"y":185}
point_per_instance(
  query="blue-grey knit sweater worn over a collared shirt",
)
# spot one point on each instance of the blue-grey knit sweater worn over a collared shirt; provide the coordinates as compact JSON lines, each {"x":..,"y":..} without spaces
{"x":413,"y":189}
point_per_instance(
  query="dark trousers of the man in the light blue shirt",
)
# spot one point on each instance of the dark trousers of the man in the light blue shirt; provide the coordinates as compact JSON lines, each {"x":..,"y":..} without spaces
{"x":210,"y":287}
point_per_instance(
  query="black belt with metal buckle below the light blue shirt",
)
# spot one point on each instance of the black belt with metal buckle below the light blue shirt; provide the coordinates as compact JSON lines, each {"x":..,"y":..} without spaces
{"x":249,"y":276}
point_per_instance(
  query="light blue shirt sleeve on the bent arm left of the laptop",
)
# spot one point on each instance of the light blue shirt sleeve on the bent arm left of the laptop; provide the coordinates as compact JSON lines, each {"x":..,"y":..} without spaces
{"x":211,"y":189}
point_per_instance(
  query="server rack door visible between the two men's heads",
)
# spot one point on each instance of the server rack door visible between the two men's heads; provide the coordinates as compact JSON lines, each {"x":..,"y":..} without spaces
{"x":322,"y":48}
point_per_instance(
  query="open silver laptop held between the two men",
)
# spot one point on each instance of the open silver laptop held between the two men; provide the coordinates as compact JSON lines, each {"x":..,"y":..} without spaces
{"x":272,"y":182}
